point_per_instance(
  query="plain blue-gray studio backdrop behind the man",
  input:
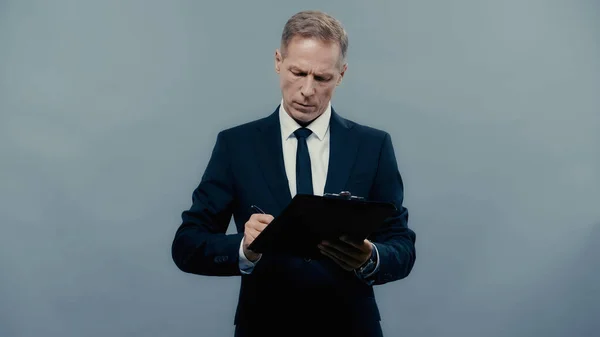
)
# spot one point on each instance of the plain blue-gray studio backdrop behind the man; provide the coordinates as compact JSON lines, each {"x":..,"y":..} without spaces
{"x":109,"y":110}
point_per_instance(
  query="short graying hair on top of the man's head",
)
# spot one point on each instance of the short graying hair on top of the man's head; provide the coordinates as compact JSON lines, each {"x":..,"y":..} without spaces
{"x":315,"y":24}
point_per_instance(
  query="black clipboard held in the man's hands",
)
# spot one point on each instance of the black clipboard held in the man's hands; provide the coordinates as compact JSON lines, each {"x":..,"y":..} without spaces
{"x":309,"y":219}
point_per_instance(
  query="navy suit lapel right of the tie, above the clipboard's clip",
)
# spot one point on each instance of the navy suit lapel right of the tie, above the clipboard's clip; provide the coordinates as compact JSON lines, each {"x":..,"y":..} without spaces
{"x":343,"y":147}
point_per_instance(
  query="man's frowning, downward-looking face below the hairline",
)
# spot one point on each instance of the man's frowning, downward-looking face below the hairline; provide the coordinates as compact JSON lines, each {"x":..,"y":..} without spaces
{"x":308,"y":76}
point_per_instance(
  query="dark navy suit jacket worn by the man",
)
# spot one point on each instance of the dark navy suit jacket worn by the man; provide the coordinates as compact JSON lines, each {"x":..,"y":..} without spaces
{"x":246,"y":167}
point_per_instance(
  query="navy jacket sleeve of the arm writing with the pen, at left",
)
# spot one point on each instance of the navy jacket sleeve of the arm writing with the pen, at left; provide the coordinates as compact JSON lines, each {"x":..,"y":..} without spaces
{"x":200,"y":245}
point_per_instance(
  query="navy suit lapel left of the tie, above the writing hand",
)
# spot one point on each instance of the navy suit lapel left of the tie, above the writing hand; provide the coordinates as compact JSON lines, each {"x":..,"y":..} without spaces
{"x":270,"y":158}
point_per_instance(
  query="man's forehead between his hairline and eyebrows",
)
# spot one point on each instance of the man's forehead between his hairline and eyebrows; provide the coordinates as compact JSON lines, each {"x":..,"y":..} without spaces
{"x":313,"y":54}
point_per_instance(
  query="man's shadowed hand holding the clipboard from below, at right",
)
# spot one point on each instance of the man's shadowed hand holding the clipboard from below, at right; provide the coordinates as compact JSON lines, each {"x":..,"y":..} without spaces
{"x":347,"y":254}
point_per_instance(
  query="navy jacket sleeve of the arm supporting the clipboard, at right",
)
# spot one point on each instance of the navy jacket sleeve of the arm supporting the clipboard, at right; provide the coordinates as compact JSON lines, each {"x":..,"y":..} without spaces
{"x":395,"y":241}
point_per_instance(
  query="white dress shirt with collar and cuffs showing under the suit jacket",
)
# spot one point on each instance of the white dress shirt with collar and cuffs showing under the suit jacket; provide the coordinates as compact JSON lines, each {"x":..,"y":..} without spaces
{"x":318,"y":150}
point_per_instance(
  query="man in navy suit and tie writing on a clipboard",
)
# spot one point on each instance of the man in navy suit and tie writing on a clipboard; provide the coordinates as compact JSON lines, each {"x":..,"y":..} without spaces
{"x":303,"y":147}
